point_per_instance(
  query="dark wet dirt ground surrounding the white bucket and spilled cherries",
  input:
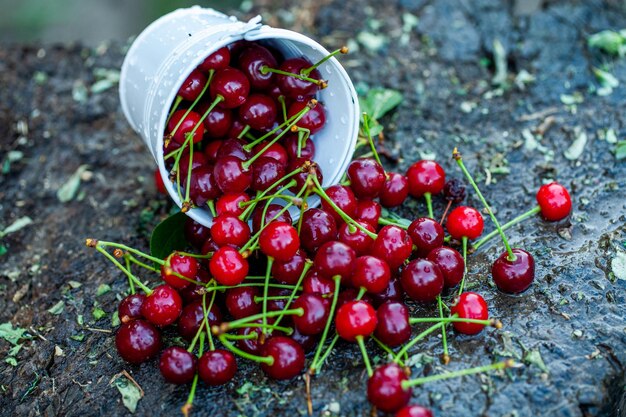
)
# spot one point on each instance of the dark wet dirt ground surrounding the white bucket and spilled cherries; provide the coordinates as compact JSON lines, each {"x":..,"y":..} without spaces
{"x":515,"y":122}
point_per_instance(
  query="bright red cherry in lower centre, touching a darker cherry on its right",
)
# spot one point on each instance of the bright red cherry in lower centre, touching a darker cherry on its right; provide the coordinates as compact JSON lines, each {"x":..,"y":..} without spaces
{"x":354,"y":319}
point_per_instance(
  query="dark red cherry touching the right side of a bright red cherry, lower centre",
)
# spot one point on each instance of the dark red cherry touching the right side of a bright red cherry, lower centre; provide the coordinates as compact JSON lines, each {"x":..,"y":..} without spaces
{"x":393,"y":327}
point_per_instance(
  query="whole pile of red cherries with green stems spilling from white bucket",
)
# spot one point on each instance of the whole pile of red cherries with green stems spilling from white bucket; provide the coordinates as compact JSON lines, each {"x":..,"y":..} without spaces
{"x":260,"y":285}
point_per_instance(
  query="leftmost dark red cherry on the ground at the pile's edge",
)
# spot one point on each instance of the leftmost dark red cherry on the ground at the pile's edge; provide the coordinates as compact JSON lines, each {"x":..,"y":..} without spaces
{"x":137,"y":341}
